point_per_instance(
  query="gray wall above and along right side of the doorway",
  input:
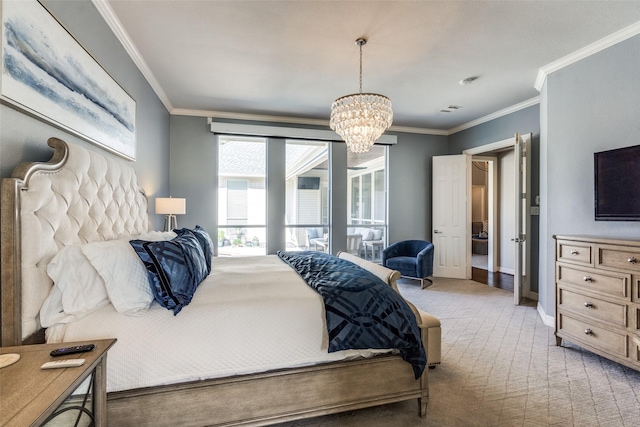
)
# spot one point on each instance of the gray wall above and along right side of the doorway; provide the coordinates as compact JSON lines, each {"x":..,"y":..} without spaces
{"x":523,"y":121}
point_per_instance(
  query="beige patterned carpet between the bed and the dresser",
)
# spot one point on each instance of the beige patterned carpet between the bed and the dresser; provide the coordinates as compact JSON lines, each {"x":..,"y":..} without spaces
{"x":501,"y":367}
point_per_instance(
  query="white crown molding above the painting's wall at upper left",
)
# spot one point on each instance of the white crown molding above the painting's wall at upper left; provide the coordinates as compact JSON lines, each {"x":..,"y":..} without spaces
{"x":116,"y":26}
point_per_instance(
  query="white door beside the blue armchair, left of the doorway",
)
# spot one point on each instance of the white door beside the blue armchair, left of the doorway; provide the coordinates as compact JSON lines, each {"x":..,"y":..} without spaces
{"x":451,"y":214}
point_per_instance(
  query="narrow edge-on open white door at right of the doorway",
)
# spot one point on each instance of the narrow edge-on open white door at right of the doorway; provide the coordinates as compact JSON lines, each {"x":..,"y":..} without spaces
{"x":522,"y":230}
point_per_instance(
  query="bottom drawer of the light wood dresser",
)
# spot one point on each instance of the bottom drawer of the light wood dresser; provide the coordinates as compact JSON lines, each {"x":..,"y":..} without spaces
{"x":614,"y":343}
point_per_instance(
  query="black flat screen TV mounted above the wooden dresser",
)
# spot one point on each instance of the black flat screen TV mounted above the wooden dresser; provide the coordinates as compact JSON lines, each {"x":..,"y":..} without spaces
{"x":617,"y":184}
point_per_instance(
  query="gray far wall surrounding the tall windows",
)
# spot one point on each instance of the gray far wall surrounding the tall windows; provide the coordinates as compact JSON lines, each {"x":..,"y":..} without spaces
{"x":192,"y":176}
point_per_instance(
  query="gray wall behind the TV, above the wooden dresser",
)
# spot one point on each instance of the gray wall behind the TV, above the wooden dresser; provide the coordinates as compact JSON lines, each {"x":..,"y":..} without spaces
{"x":590,"y":106}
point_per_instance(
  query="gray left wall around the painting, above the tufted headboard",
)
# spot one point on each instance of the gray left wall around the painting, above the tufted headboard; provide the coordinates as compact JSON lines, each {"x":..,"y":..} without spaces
{"x":23,"y":138}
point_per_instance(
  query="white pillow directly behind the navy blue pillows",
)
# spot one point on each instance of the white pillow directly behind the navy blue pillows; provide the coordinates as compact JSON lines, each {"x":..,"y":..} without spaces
{"x":125,"y":277}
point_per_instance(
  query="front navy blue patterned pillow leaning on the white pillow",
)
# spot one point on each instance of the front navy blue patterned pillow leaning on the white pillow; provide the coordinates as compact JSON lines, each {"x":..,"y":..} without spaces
{"x":175,"y":268}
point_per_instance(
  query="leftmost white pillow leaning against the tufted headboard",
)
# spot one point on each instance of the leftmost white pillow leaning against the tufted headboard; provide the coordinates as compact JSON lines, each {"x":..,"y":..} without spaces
{"x":77,"y":288}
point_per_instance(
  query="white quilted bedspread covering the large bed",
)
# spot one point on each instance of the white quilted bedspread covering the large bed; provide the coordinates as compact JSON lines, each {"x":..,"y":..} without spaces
{"x":250,"y":315}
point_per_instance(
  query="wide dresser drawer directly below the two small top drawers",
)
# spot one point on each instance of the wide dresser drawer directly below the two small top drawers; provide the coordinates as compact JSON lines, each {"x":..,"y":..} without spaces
{"x":612,"y":284}
